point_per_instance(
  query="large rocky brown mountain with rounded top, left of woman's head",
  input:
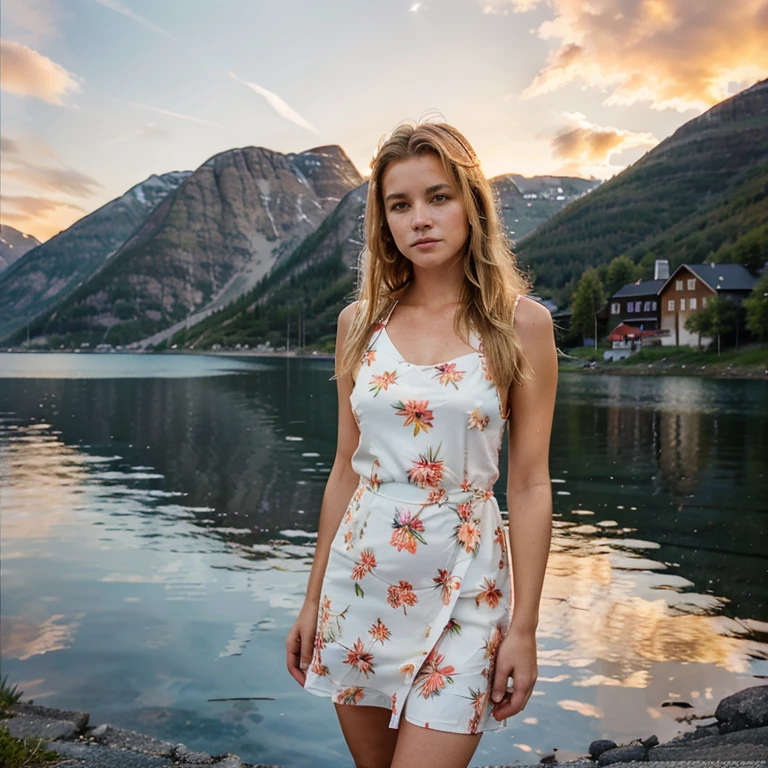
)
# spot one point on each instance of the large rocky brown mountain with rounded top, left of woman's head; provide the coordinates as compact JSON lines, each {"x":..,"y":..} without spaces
{"x":224,"y":228}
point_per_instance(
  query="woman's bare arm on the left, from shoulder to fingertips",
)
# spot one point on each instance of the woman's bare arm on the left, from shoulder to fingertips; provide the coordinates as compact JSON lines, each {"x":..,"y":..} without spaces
{"x":341,"y":485}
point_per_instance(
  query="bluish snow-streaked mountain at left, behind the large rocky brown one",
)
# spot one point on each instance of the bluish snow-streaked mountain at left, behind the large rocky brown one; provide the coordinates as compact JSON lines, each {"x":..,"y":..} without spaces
{"x":50,"y":271}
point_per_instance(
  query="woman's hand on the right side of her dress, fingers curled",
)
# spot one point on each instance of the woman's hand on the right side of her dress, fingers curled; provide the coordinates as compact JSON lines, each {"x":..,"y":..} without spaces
{"x":516,"y":658}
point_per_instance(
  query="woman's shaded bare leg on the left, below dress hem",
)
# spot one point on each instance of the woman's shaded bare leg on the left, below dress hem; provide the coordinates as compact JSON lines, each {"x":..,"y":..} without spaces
{"x":368,"y":735}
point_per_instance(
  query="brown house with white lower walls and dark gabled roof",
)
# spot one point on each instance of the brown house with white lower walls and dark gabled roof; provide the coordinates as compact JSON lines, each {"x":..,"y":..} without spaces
{"x":688,"y":290}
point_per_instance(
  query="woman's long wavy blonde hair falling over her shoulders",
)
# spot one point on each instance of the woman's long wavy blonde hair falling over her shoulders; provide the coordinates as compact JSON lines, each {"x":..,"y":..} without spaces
{"x":492,"y":281}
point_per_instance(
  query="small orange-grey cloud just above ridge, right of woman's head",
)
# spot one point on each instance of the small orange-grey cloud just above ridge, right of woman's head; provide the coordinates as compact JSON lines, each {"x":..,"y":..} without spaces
{"x":588,"y":148}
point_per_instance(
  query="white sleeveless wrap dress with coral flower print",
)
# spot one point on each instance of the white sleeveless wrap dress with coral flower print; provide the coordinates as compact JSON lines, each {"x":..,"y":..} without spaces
{"x":417,"y":594}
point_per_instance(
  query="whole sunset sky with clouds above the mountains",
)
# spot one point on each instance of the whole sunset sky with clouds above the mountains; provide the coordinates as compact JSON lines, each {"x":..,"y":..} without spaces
{"x":97,"y":95}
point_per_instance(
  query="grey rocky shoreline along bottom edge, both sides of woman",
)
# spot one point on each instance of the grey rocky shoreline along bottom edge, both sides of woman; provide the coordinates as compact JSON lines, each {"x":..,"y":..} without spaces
{"x":736,"y":731}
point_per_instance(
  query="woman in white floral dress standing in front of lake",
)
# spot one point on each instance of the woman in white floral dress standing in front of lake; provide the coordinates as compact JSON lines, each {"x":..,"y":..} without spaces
{"x":408,"y":622}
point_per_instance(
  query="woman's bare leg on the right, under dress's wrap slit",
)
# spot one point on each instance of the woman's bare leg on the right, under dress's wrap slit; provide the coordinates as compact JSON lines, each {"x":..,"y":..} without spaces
{"x":428,"y":748}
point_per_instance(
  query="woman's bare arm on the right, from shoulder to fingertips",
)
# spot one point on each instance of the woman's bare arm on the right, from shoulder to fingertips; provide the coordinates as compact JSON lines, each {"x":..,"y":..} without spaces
{"x":529,"y":501}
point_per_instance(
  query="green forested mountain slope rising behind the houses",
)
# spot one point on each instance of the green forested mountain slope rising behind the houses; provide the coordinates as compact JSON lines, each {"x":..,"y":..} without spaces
{"x":703,"y":192}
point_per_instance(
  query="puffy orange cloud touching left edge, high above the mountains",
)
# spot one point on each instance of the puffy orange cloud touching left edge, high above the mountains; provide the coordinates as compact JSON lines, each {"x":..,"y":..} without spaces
{"x":26,"y":72}
